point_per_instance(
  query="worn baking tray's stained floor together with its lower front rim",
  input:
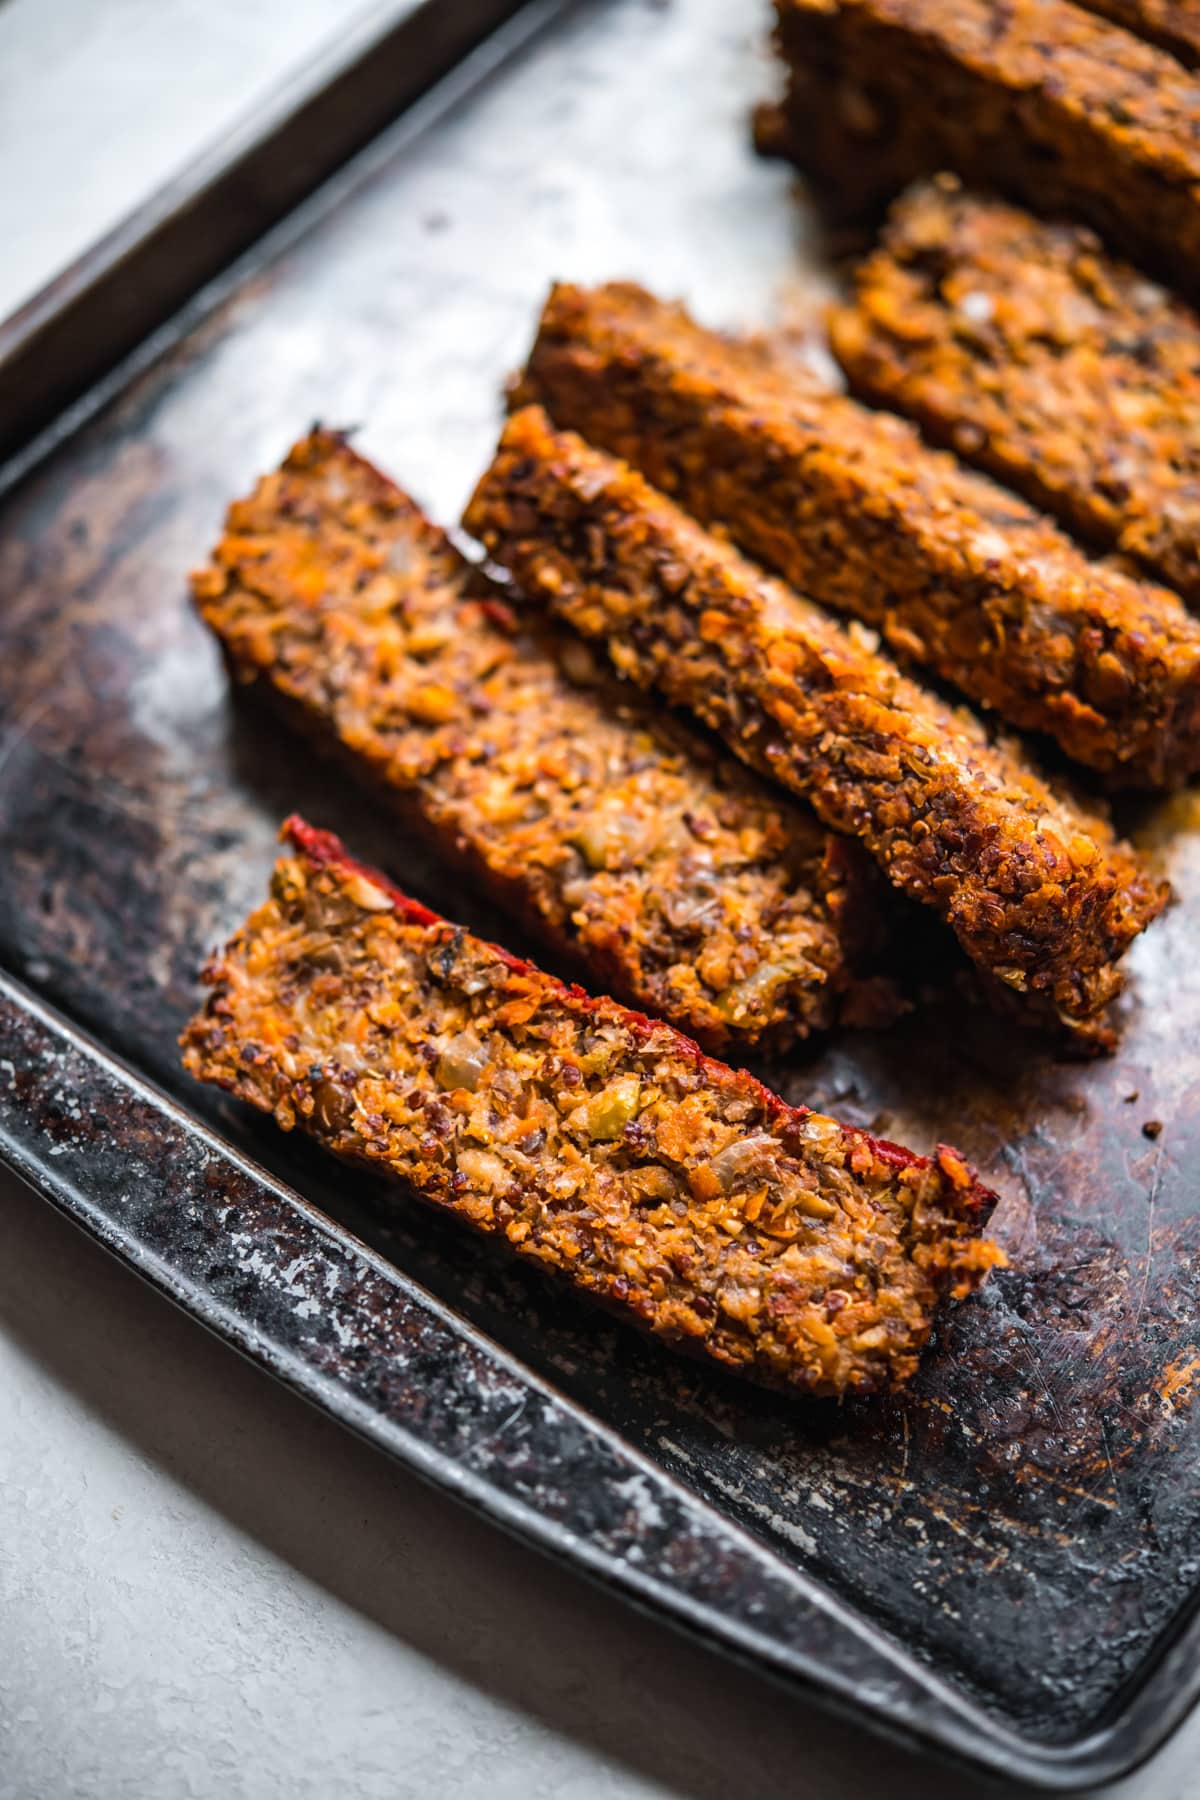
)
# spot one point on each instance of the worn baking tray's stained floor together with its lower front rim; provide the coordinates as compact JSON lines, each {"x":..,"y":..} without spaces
{"x":1005,"y":1563}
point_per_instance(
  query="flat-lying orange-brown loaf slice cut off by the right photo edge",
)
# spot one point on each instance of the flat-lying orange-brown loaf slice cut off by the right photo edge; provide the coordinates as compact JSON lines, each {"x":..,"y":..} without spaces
{"x":1028,"y":350}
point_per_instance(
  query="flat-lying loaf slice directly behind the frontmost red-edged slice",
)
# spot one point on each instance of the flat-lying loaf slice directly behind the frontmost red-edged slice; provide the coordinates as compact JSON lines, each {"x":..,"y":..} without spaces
{"x":677,"y":879}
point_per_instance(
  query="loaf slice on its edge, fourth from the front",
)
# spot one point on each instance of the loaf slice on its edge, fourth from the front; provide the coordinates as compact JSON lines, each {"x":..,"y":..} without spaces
{"x":854,"y":508}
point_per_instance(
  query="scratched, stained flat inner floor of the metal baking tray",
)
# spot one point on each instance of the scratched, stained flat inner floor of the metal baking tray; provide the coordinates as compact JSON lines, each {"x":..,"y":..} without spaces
{"x":1028,"y":1518}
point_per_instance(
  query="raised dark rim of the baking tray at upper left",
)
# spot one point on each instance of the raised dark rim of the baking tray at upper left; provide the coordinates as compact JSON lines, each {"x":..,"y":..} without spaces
{"x":75,"y":343}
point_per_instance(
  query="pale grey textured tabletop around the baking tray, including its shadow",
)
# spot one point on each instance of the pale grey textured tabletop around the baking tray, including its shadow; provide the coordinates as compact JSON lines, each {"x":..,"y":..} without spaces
{"x":204,"y":1587}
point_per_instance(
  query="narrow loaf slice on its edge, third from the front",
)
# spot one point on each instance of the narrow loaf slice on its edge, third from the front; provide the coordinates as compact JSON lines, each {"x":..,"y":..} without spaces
{"x":1037,"y":890}
